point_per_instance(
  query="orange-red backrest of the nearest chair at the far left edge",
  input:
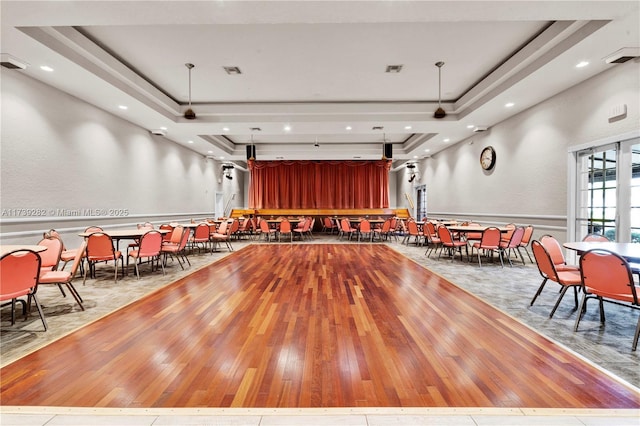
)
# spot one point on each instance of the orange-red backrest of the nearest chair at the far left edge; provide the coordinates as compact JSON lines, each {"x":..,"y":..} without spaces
{"x":19,"y":271}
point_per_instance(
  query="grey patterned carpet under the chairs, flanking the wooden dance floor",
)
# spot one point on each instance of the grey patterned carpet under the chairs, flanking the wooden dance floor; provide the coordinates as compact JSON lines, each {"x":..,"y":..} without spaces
{"x":509,"y":289}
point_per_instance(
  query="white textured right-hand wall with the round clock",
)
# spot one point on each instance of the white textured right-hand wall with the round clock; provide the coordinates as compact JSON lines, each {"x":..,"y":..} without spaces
{"x":529,"y":182}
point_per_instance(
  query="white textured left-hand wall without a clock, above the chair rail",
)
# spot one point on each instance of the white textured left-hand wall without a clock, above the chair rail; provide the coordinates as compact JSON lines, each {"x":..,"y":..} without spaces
{"x":59,"y":153}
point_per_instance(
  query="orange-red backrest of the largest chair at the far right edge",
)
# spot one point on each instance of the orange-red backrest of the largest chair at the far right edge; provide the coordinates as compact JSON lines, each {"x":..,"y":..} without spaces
{"x":606,"y":274}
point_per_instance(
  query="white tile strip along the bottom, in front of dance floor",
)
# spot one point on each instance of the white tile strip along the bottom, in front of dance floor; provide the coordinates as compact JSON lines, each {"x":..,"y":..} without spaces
{"x":41,"y":416}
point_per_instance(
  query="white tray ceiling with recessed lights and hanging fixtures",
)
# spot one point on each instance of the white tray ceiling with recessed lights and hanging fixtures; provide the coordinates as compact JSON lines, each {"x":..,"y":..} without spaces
{"x":316,"y":66}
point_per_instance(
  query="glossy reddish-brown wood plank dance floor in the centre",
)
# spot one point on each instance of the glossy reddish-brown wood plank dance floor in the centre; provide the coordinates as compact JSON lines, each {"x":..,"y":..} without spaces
{"x":309,"y":326}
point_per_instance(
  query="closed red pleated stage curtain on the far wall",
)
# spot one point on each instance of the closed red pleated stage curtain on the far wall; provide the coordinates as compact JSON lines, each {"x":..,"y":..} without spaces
{"x":319,"y":184}
